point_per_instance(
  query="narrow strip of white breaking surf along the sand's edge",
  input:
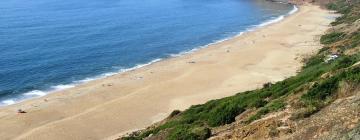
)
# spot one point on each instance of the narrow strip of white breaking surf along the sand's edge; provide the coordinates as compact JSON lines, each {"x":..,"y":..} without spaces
{"x":57,"y":88}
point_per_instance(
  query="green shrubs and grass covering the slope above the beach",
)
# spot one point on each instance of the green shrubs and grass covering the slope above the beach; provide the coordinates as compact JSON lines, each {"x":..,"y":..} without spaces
{"x":197,"y":121}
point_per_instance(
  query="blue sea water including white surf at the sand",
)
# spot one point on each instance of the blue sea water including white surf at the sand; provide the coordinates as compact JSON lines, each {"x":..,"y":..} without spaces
{"x":48,"y":45}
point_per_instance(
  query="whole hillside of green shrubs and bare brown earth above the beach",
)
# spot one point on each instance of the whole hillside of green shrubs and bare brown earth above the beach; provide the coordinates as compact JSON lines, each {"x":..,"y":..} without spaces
{"x":321,"y":102}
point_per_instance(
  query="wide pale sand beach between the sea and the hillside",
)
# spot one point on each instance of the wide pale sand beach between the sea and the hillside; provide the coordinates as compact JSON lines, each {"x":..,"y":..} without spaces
{"x":108,"y":107}
